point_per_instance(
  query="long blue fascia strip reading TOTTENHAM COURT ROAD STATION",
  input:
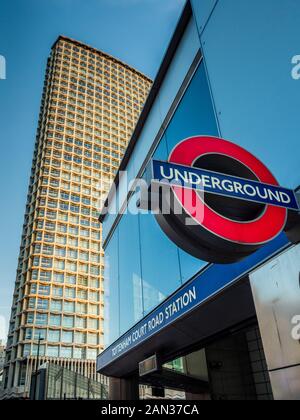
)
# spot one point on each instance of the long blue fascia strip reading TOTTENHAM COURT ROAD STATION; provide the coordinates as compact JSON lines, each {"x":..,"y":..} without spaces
{"x":209,"y":282}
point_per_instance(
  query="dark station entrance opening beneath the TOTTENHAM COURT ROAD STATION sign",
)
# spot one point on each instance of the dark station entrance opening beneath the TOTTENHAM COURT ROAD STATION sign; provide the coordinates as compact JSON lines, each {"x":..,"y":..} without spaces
{"x":232,"y":368}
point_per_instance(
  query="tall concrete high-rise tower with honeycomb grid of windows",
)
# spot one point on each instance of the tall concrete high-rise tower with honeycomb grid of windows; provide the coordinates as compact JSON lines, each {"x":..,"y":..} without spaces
{"x":90,"y":105}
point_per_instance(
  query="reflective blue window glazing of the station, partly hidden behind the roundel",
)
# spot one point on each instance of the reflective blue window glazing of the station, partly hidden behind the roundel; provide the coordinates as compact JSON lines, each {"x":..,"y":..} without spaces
{"x":143,"y":265}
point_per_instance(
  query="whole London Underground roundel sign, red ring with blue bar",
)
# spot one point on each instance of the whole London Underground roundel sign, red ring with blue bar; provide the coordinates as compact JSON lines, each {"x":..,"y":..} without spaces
{"x":230,"y":203}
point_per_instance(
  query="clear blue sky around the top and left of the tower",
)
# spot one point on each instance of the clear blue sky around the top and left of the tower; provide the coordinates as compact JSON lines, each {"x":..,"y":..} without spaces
{"x":135,"y":31}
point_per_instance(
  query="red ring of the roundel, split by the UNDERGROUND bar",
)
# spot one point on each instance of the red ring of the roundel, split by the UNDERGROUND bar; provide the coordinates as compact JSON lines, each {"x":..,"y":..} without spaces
{"x":255,"y":232}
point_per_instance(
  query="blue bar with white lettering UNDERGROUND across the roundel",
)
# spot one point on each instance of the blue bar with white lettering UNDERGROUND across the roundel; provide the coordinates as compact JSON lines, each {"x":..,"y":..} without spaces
{"x":224,"y":185}
